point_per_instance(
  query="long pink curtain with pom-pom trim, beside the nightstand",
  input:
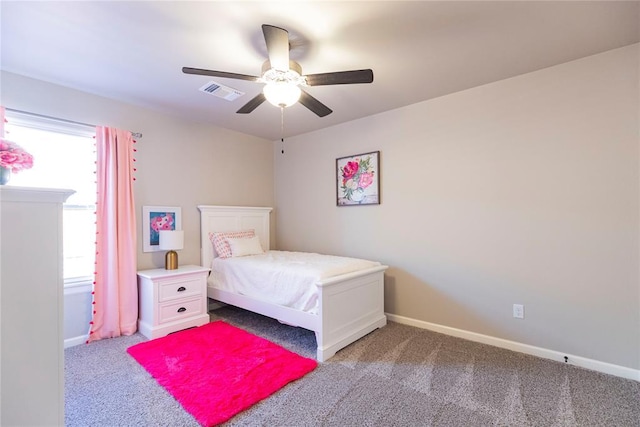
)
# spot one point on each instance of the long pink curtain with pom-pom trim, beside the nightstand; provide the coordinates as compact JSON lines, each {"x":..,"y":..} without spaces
{"x":115,"y":295}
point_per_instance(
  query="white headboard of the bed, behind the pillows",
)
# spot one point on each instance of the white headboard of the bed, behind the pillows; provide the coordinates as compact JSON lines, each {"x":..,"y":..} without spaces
{"x":231,"y":218}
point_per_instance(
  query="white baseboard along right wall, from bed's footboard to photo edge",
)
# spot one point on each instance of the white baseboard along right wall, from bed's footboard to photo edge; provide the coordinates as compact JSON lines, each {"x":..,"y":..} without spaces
{"x":583,"y":362}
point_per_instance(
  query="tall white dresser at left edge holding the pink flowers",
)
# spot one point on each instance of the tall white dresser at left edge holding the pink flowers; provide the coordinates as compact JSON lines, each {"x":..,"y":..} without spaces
{"x":31,"y":308}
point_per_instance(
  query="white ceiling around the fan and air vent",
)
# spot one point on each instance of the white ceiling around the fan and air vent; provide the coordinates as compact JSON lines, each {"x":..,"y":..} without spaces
{"x":134,"y":50}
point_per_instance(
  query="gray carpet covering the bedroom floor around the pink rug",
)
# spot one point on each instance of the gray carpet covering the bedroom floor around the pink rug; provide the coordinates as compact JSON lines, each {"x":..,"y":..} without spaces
{"x":396,"y":376}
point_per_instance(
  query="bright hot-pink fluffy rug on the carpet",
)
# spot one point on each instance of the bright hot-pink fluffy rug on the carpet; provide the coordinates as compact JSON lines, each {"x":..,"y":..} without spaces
{"x":217,"y":370}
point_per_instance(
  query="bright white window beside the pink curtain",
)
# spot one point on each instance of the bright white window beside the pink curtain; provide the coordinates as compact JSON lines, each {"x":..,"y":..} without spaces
{"x":64,"y":157}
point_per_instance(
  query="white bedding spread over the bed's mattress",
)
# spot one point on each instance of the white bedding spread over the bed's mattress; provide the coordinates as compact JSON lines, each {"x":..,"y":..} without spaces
{"x":281,"y":277}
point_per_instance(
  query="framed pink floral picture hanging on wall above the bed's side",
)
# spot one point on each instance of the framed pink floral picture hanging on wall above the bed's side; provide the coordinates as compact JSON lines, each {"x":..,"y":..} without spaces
{"x":358,"y":179}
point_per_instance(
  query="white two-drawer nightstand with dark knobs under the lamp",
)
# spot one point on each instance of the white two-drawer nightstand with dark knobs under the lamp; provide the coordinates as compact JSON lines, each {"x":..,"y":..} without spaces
{"x":172,"y":300}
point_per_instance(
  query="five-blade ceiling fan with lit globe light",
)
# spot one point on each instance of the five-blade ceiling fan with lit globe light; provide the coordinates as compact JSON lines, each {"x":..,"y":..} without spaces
{"x":283,"y":77}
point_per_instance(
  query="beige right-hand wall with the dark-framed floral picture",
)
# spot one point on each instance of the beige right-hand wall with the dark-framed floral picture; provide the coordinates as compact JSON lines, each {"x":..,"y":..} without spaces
{"x":522,"y":191}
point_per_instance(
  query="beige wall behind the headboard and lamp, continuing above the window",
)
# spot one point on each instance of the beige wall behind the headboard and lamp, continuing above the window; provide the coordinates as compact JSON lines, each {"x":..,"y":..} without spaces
{"x":180,"y":163}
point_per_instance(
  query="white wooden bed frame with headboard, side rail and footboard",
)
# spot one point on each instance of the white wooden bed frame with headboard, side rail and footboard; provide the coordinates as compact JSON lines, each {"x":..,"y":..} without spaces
{"x":350,"y":305}
